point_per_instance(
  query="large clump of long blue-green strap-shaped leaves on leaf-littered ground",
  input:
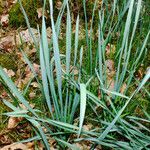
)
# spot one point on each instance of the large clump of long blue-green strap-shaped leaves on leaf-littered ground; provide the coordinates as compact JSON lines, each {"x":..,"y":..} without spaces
{"x":65,"y":92}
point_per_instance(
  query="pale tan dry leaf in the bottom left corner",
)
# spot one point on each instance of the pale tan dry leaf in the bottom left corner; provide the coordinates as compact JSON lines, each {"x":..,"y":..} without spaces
{"x":19,"y":146}
